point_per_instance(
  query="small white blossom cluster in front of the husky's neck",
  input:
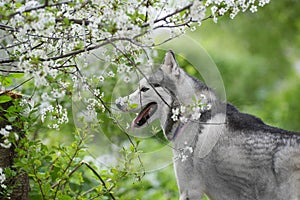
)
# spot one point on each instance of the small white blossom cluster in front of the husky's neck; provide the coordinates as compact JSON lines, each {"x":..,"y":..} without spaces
{"x":191,"y":112}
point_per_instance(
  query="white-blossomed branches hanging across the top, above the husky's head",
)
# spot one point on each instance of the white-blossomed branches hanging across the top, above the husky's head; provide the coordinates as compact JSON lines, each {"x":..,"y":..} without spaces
{"x":46,"y":41}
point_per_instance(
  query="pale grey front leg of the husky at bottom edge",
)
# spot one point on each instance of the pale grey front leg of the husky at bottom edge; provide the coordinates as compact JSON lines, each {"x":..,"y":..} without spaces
{"x":188,"y":181}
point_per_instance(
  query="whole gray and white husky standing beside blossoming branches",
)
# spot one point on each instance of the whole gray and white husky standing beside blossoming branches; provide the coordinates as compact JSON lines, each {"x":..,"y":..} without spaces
{"x":223,"y":153}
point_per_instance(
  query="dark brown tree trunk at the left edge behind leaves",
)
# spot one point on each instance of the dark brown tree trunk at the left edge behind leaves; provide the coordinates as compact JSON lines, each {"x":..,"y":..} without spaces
{"x":20,"y":182}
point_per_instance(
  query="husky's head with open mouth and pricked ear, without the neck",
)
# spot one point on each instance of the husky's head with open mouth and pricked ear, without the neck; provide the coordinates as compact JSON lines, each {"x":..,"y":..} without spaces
{"x":154,"y":96}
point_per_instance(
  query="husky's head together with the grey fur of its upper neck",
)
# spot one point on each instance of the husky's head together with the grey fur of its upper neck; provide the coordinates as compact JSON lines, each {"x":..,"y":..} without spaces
{"x":158,"y":94}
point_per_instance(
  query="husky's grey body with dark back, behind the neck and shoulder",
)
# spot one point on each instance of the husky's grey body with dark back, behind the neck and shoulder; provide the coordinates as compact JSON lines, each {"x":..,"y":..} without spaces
{"x":252,"y":161}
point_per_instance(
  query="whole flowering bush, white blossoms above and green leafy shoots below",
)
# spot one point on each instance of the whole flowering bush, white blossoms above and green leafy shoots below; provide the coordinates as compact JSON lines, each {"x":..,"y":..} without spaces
{"x":51,"y":48}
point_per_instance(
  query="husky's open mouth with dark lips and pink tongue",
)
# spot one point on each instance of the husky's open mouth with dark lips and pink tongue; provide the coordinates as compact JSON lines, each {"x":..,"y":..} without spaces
{"x":145,"y":114}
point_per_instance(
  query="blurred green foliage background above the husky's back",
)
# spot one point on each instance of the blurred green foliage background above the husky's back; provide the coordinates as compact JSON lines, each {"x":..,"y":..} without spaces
{"x":258,"y":58}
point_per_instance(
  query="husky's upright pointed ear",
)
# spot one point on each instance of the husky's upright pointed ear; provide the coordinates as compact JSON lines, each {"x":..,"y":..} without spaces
{"x":170,"y":64}
